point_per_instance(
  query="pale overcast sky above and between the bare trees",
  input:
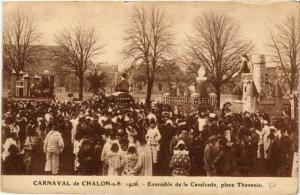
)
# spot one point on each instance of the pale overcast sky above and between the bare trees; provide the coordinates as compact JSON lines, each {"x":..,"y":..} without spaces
{"x":111,"y":19}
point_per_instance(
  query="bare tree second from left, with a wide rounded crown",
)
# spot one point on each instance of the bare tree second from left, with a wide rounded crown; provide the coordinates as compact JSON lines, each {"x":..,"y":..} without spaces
{"x":76,"y":48}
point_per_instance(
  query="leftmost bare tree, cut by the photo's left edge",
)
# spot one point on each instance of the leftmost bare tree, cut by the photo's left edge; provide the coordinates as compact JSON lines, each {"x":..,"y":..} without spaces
{"x":20,"y":39}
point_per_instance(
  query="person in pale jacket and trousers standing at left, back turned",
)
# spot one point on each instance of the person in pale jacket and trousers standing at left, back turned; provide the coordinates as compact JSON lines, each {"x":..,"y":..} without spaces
{"x":53,"y":146}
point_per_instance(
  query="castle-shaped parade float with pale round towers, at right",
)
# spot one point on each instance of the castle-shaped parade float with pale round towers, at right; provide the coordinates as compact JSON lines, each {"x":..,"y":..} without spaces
{"x":248,"y":94}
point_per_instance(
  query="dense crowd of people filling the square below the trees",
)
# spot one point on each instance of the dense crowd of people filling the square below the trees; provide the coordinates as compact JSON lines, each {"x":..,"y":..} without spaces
{"x":102,"y":137}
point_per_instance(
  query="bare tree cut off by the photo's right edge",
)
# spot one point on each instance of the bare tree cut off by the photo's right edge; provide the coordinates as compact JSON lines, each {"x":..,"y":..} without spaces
{"x":284,"y":46}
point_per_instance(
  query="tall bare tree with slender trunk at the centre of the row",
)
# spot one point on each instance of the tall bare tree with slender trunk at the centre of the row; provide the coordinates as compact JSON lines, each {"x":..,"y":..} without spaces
{"x":148,"y":43}
